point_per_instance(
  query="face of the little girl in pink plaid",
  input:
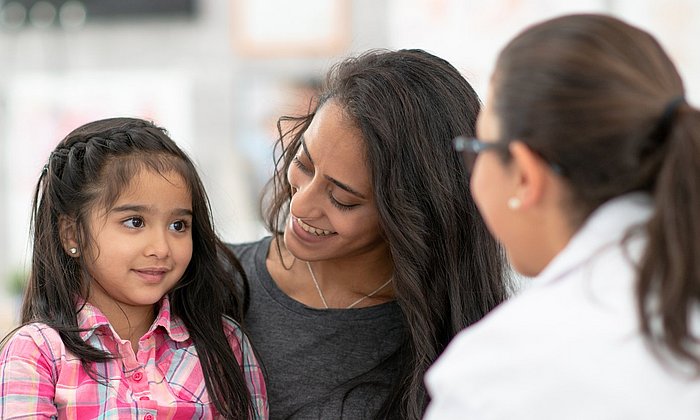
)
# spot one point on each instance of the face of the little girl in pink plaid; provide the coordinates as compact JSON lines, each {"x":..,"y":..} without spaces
{"x":142,"y":244}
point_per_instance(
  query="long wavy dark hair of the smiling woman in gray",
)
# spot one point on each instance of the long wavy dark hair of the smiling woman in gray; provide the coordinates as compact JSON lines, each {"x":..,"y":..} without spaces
{"x":449,"y":271}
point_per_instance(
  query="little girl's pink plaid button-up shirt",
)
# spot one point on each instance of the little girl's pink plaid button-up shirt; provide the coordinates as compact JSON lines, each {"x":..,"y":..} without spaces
{"x":40,"y":378}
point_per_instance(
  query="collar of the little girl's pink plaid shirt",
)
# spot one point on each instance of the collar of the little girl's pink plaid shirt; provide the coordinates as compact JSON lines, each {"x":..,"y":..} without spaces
{"x":90,"y":318}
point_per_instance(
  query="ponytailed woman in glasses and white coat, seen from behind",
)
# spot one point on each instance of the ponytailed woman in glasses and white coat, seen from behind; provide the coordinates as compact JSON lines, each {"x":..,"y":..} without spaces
{"x":588,"y":172}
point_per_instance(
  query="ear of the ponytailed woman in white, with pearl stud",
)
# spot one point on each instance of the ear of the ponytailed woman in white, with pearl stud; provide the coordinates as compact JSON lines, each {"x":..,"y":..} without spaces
{"x":532,"y":173}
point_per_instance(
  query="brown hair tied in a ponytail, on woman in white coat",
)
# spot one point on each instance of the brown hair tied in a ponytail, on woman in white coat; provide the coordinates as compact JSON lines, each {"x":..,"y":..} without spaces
{"x":603,"y":100}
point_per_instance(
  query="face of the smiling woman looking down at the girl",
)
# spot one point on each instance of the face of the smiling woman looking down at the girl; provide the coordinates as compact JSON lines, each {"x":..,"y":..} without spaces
{"x":333,"y":213}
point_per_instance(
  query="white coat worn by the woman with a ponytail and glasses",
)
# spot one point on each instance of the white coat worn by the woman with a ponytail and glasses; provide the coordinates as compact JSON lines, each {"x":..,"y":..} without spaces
{"x":569,"y":346}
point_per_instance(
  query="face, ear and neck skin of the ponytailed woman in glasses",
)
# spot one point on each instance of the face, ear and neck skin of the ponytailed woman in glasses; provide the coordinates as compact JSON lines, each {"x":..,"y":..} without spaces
{"x":520,"y":199}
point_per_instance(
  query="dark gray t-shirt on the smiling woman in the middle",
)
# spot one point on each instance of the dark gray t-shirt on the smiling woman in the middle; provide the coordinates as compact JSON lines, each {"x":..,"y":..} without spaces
{"x":319,"y":363}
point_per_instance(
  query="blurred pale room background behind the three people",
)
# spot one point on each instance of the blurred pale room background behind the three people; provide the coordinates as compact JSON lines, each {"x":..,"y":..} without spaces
{"x":218,"y":73}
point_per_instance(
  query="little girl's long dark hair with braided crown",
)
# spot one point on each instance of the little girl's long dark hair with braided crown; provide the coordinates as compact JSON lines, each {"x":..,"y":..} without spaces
{"x":90,"y":168}
